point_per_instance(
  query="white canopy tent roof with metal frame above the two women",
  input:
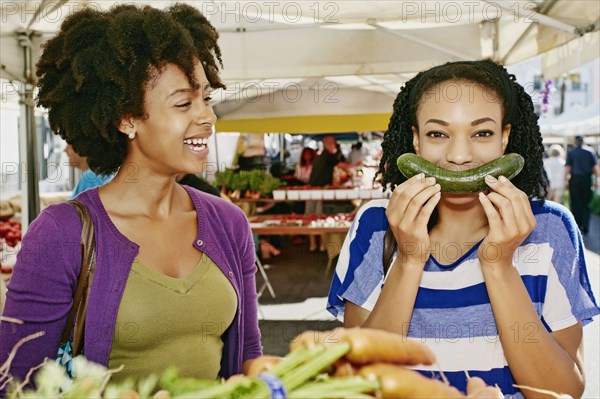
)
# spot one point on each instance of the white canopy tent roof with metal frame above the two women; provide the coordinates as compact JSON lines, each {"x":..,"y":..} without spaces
{"x":371,"y":47}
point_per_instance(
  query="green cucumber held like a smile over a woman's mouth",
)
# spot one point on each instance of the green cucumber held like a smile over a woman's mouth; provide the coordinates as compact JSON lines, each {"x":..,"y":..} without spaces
{"x":461,"y":182}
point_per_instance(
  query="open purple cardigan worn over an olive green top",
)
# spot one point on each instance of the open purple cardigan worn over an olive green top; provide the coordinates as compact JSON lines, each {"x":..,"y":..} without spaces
{"x":41,"y":289}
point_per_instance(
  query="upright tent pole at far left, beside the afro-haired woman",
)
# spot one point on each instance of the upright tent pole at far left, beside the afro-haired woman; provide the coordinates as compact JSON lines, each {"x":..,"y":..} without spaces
{"x":30,"y":195}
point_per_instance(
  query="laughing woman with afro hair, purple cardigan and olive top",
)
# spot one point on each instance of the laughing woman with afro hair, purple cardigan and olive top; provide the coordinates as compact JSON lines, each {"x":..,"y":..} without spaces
{"x":129,"y":88}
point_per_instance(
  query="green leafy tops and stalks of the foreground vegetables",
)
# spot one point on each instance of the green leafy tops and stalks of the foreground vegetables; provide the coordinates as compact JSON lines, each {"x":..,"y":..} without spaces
{"x":300,"y":373}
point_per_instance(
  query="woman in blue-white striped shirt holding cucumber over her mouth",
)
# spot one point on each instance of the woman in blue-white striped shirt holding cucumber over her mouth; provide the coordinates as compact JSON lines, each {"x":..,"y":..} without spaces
{"x":475,"y":265}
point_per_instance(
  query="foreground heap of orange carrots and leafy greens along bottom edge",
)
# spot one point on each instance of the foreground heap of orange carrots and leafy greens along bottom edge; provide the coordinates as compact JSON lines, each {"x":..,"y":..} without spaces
{"x":342,"y":363}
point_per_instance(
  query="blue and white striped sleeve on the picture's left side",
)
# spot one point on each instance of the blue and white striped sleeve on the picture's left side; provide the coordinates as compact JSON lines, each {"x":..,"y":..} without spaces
{"x":359,"y":274}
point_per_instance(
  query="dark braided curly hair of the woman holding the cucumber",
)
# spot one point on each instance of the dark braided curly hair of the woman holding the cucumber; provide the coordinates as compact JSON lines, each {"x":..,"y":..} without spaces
{"x":518,"y":111}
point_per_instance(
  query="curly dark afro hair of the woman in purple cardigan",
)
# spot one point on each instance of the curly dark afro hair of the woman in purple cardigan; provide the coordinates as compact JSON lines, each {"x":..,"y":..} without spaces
{"x":98,"y":67}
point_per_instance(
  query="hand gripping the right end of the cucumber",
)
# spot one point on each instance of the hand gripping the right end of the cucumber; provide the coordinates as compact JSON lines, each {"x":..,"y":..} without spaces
{"x":510,"y":218}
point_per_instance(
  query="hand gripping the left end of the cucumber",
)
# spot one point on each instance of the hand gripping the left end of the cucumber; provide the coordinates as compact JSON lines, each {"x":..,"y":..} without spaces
{"x":408,"y":213}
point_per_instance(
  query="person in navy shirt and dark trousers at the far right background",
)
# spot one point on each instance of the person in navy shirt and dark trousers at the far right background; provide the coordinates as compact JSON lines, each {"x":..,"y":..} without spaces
{"x":581,"y":164}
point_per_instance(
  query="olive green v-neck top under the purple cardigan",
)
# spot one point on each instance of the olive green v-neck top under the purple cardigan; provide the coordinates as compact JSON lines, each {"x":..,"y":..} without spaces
{"x":165,"y":321}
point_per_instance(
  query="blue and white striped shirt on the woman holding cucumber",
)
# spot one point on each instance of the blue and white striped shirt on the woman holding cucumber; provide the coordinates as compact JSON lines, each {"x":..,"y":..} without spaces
{"x":452,"y":313}
